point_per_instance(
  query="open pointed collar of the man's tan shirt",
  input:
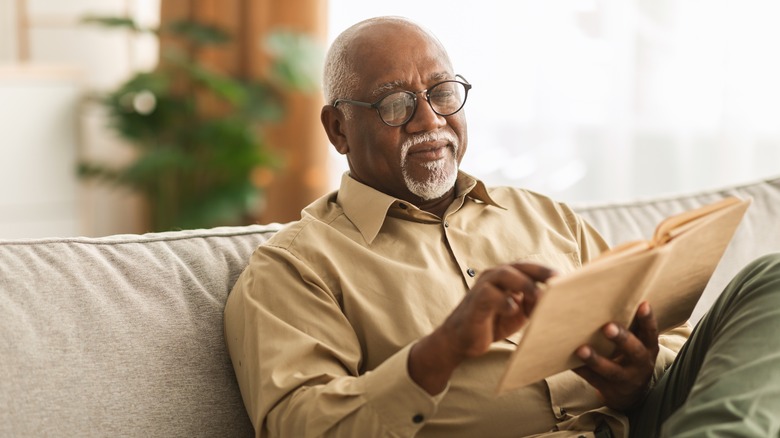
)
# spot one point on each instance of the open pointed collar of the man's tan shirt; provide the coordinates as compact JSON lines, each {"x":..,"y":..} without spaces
{"x":367,"y":207}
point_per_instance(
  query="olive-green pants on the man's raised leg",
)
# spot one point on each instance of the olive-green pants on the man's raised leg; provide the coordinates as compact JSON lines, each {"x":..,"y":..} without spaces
{"x":725,"y":381}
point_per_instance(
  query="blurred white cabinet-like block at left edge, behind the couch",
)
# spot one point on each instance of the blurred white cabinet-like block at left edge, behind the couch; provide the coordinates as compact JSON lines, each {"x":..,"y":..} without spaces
{"x":38,"y":190}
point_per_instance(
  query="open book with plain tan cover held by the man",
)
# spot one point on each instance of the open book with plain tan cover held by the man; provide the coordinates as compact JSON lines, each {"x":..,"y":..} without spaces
{"x":669,"y":271}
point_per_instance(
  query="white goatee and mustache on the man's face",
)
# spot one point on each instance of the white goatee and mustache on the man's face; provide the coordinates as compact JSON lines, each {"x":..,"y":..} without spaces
{"x":442,"y":173}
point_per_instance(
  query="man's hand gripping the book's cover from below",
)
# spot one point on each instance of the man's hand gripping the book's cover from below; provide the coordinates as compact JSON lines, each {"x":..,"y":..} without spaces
{"x":624,"y":379}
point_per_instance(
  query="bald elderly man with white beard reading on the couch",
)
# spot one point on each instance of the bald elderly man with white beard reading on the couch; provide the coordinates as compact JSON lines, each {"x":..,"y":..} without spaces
{"x":391,"y":307}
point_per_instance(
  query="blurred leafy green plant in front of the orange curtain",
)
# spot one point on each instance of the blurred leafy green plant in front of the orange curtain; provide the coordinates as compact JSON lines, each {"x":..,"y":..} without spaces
{"x":196,"y":130}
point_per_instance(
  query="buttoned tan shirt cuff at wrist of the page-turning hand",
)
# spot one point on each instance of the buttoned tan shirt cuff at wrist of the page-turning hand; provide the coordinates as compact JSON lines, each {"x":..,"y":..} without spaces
{"x":401,"y":404}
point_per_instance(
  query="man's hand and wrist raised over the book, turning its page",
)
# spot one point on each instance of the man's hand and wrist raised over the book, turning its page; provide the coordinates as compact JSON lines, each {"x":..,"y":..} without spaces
{"x":499,"y":304}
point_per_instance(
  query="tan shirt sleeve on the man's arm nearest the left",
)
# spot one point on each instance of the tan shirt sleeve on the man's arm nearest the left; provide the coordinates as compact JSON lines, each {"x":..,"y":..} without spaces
{"x":298,"y":360}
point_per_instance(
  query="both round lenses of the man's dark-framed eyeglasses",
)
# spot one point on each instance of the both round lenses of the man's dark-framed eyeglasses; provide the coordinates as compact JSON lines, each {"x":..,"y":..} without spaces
{"x":445,"y":98}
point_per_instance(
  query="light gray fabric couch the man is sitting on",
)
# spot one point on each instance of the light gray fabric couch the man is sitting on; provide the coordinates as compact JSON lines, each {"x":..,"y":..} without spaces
{"x":122,"y":335}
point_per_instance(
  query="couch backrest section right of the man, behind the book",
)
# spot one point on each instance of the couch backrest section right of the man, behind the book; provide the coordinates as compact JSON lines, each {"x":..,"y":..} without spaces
{"x":758,"y":234}
